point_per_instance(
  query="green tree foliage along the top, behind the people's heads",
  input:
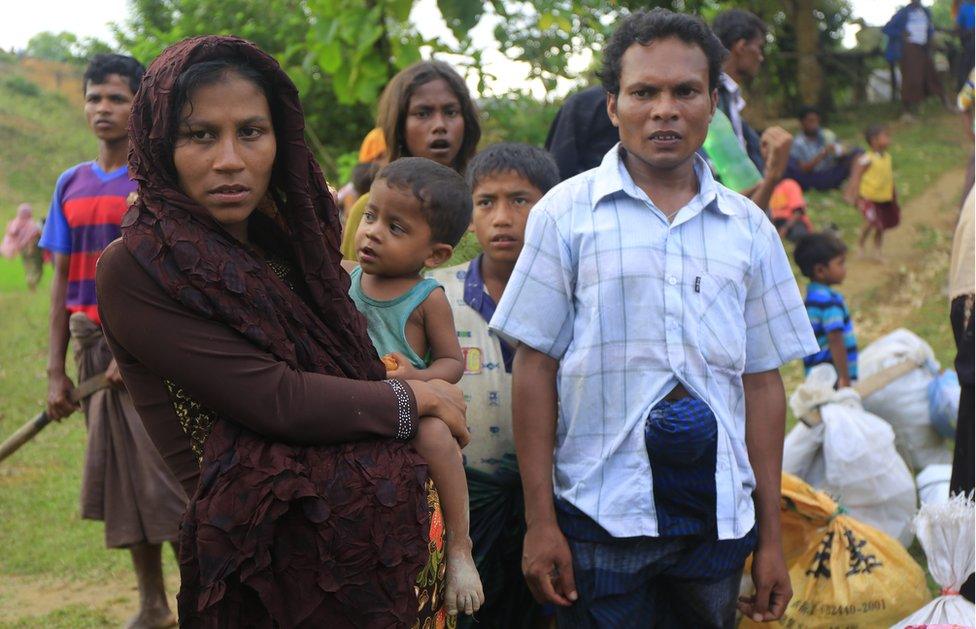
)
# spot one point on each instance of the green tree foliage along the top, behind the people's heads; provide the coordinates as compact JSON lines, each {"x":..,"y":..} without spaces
{"x":341,"y":53}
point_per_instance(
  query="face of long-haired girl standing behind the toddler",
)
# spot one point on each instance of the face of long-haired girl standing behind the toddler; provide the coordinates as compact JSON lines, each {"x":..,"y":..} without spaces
{"x":434,"y":126}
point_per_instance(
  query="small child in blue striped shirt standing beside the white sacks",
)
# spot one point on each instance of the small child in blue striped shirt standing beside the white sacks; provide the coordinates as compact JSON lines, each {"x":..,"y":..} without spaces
{"x":821,"y":259}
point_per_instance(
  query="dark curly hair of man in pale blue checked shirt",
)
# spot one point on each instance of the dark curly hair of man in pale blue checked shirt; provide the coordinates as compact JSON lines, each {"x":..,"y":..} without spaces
{"x":643,"y":27}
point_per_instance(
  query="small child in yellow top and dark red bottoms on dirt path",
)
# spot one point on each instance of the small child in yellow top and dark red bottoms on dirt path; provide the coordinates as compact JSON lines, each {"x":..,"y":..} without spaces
{"x":872,"y":188}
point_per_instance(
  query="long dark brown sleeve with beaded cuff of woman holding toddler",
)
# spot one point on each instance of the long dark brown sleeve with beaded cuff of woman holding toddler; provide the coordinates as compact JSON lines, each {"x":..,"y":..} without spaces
{"x":225,"y":372}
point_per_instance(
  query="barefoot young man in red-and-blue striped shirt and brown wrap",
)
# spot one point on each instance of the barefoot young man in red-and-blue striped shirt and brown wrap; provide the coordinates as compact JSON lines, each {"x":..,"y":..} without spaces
{"x":125,"y":482}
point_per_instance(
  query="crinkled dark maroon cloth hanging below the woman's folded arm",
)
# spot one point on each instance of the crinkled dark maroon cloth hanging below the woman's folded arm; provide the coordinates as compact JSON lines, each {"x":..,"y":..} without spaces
{"x":287,"y":536}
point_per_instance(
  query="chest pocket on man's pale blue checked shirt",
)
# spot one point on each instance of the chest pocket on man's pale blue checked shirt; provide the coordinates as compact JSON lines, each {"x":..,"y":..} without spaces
{"x":721,"y":325}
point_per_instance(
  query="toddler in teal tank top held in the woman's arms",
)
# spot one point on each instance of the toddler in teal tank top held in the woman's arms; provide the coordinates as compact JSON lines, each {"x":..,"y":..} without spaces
{"x":417,"y":212}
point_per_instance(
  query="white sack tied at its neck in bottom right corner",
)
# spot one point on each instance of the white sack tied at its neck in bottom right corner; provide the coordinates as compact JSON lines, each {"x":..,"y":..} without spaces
{"x":946,"y":533}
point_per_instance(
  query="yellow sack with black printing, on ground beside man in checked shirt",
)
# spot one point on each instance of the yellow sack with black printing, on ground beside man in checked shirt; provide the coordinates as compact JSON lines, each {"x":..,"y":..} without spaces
{"x":844,"y":573}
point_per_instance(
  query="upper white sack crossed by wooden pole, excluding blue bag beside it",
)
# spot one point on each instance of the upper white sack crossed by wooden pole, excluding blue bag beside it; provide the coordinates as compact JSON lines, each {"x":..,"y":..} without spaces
{"x":905,"y":402}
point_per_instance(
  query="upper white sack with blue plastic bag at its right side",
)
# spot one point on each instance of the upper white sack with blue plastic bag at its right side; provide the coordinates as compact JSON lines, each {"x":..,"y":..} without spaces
{"x":918,"y":401}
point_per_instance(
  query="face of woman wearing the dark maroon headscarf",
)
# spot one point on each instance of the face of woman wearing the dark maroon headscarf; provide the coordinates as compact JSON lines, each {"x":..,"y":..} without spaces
{"x":225,"y":150}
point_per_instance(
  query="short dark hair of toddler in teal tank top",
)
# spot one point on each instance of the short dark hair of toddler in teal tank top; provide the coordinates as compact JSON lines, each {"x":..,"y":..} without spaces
{"x":445,"y":200}
